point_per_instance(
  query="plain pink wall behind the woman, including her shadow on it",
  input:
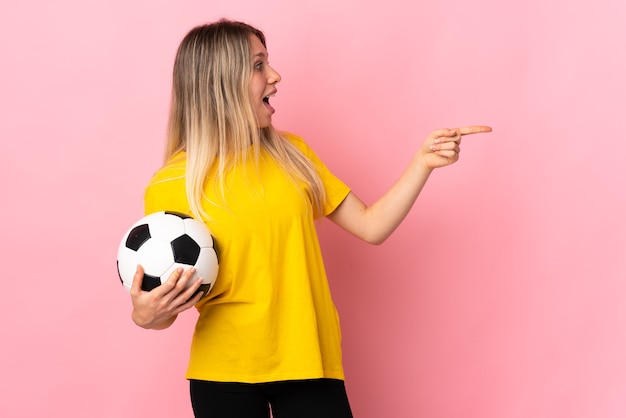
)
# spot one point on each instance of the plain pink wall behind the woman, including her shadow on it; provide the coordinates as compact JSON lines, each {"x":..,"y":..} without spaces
{"x":502,"y":294}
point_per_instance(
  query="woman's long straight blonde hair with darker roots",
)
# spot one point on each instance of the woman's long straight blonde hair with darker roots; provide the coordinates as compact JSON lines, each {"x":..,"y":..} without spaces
{"x":212,"y":118}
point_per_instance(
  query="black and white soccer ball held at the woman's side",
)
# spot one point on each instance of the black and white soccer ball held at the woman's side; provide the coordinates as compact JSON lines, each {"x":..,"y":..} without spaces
{"x":162,"y":242}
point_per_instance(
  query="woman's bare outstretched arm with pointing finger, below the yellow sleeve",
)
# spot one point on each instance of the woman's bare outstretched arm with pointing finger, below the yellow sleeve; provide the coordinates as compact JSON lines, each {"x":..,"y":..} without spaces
{"x":376,"y":222}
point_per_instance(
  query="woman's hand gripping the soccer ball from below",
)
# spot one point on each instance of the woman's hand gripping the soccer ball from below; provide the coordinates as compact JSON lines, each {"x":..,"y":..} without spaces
{"x":158,"y":308}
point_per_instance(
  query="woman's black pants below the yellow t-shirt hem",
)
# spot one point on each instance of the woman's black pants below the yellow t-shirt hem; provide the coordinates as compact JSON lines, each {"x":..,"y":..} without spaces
{"x":316,"y":398}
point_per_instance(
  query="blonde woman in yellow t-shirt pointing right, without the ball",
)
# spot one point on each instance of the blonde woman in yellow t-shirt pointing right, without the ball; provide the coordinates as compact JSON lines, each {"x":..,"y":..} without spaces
{"x":268,"y":334}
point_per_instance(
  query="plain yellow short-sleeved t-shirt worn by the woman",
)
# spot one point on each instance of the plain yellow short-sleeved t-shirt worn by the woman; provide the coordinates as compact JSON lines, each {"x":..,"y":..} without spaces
{"x":270,"y":315}
